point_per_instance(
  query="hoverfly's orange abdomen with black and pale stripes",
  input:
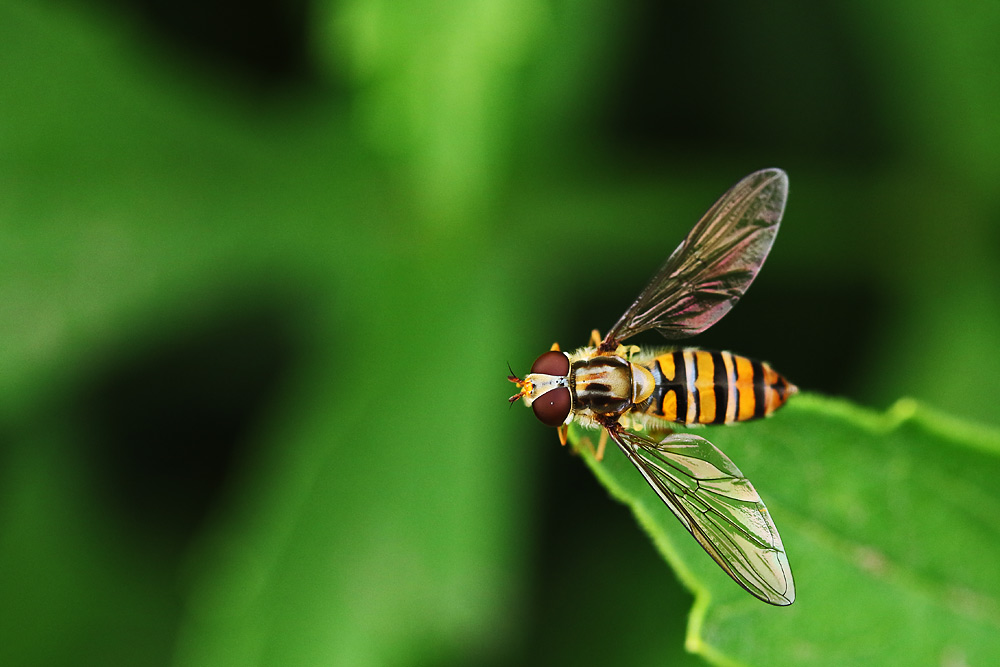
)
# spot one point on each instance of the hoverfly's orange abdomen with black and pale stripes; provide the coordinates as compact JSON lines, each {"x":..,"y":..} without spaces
{"x":703,"y":387}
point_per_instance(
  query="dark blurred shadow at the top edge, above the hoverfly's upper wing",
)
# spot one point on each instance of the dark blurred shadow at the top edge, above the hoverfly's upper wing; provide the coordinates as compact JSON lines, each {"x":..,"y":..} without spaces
{"x":699,"y":78}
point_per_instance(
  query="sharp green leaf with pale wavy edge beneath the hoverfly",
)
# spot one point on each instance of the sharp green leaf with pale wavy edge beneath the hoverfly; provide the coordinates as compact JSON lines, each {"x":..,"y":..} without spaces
{"x":891,"y":523}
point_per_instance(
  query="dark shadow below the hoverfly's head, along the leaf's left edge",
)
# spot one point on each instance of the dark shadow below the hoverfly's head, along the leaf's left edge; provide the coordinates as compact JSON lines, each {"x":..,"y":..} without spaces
{"x":590,"y":562}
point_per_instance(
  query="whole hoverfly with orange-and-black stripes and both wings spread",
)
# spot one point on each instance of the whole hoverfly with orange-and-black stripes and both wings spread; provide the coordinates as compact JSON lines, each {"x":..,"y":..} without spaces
{"x":633,"y":394}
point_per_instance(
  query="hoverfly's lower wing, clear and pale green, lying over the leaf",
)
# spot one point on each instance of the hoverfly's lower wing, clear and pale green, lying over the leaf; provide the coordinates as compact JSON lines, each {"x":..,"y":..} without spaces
{"x":718,"y":506}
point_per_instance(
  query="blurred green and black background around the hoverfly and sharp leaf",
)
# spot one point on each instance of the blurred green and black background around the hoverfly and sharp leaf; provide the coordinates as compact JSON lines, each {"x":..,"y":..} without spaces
{"x":262,"y":268}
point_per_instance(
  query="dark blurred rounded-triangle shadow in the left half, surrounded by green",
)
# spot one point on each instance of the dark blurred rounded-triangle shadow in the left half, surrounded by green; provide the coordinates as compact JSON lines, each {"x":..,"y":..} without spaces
{"x":169,"y":422}
